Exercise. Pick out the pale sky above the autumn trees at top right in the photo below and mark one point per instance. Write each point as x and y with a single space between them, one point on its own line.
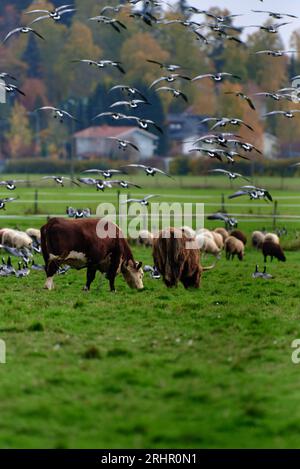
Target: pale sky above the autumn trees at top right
245 7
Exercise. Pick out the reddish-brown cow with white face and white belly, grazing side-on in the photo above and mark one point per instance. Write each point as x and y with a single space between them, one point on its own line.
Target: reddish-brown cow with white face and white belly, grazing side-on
76 243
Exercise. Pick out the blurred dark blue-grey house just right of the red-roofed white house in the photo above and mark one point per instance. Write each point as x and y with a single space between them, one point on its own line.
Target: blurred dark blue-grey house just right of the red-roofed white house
182 129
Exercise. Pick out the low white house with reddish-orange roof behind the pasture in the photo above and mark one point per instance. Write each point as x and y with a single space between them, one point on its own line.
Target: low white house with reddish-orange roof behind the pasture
94 142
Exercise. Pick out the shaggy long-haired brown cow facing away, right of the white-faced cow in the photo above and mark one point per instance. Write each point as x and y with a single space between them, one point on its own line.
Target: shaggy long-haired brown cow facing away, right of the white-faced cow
176 259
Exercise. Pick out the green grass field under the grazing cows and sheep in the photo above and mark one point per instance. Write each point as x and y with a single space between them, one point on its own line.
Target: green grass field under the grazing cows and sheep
158 368
